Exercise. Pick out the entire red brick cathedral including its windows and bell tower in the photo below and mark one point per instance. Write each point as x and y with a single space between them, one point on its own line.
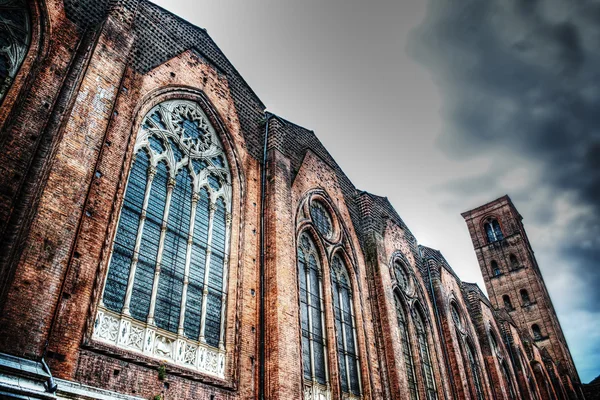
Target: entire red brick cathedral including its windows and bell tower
162 236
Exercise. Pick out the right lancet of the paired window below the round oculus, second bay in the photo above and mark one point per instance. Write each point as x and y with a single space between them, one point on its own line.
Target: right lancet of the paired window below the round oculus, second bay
345 327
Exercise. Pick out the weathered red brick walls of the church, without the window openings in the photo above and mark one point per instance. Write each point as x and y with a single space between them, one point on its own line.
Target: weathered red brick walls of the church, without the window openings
69 124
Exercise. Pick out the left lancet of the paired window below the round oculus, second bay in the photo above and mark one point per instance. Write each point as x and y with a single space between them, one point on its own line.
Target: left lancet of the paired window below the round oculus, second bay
312 318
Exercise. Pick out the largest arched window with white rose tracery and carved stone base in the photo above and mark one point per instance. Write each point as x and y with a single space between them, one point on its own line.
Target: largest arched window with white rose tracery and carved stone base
165 291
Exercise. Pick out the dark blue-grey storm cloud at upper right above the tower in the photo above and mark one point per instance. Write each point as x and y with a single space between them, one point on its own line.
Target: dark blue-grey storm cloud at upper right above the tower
523 78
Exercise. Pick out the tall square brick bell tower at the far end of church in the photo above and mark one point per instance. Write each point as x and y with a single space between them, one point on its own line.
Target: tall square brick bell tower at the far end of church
514 281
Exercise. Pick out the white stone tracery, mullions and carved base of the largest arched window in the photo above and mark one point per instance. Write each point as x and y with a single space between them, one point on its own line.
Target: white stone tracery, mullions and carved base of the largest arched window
187 135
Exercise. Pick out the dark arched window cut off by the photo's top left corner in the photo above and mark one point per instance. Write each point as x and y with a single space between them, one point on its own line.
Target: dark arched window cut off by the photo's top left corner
15 31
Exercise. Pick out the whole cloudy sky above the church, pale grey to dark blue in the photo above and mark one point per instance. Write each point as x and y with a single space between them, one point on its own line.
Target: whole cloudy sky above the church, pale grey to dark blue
442 106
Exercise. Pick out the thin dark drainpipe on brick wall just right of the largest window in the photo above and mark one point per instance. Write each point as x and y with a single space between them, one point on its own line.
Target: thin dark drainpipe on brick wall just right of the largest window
261 342
